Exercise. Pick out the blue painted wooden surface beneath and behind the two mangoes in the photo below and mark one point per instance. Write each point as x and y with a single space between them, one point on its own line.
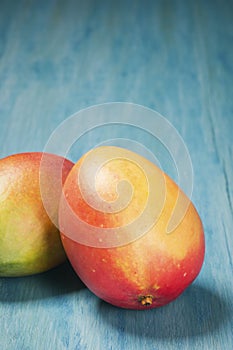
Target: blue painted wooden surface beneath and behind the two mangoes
57 57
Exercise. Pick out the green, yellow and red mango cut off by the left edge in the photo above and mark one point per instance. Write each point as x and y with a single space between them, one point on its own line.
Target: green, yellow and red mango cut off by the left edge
29 242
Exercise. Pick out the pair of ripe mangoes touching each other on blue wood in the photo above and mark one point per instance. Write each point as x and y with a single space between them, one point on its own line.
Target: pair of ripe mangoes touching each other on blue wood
114 212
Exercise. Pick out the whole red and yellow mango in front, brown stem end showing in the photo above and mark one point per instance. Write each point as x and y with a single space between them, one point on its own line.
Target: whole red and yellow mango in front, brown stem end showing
114 217
